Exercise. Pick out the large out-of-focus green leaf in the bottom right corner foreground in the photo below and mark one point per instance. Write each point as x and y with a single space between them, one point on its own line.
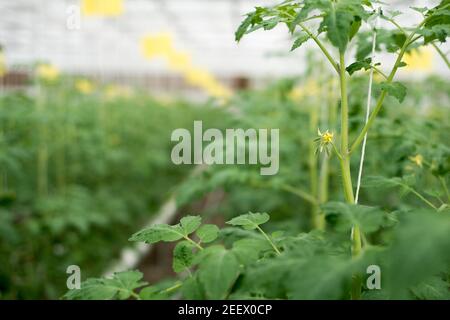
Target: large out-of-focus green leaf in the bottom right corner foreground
419 250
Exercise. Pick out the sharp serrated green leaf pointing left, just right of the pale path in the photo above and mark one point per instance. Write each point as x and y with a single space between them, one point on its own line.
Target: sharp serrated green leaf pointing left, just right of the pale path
158 232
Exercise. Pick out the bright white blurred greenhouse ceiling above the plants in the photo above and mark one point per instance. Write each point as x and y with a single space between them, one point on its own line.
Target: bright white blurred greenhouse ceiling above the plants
80 39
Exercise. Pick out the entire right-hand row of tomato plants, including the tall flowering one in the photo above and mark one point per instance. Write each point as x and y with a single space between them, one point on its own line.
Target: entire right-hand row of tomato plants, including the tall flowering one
306 236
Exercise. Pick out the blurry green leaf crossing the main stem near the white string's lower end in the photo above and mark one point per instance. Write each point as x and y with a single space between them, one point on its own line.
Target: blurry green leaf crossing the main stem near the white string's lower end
345 216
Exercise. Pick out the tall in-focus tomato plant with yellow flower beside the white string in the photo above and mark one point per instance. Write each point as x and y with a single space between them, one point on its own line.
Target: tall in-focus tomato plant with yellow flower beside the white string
341 22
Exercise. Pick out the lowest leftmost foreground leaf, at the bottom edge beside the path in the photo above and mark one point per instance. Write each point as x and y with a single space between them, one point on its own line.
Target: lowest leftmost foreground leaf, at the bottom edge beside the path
120 286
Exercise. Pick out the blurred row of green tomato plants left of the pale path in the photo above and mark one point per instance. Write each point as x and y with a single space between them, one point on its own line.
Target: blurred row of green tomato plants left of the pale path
82 166
